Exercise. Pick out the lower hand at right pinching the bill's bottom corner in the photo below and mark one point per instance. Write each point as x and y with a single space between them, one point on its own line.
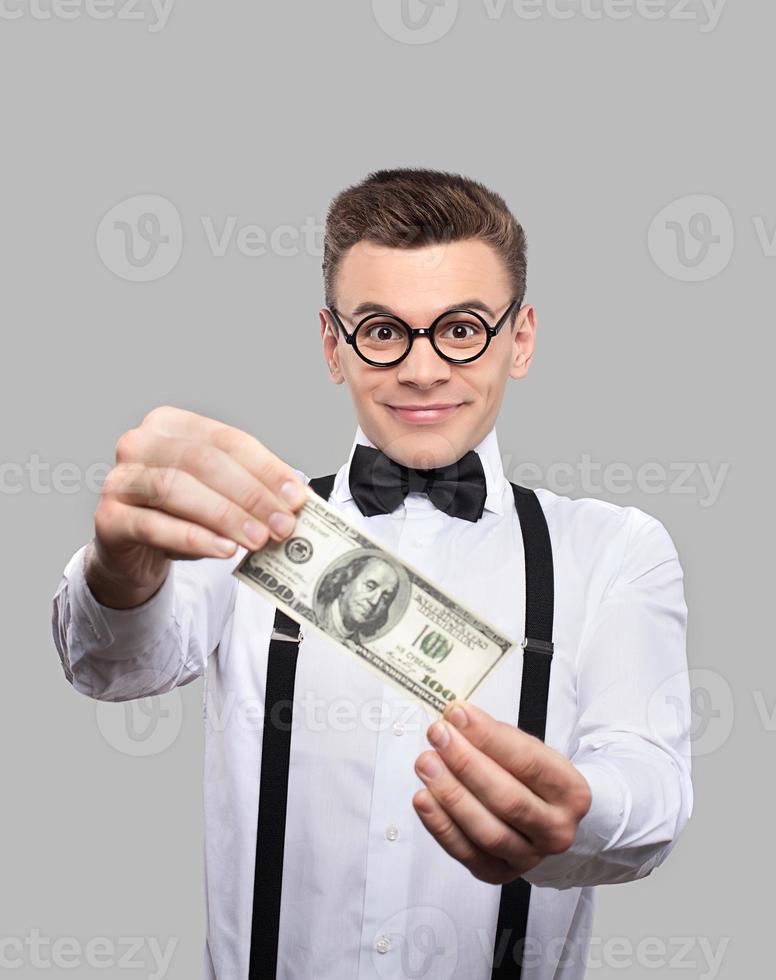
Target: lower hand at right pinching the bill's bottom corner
497 799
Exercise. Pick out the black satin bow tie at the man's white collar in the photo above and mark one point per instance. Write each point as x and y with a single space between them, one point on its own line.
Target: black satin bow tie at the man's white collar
379 484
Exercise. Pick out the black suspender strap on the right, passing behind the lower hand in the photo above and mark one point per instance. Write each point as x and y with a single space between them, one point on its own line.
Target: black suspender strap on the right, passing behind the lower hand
537 659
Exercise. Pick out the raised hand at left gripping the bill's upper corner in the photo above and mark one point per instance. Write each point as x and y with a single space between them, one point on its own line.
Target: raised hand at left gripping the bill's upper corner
184 486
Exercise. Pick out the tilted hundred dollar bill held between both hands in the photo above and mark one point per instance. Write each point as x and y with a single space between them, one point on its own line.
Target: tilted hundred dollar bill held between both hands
333 578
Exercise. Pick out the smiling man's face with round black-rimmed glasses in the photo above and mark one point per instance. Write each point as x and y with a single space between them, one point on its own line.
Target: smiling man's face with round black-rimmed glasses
418 284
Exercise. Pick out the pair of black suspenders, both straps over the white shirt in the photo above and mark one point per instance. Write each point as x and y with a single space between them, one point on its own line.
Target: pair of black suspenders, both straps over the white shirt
276 748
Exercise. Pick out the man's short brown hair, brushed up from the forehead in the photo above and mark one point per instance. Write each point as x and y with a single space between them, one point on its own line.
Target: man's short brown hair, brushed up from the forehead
408 208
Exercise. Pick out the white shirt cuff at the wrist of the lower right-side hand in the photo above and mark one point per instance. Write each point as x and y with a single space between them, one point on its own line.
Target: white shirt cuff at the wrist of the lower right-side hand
598 829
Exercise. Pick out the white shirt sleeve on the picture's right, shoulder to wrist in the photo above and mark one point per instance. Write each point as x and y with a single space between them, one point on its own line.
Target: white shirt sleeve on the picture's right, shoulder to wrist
632 740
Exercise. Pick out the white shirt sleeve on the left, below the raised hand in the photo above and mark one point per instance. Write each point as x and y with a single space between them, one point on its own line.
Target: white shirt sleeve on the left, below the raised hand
121 654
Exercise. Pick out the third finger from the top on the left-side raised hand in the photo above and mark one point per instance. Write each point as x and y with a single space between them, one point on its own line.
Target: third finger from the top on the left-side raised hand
179 494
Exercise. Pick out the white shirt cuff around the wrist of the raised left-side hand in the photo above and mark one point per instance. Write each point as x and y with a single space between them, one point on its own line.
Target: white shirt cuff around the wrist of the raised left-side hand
116 633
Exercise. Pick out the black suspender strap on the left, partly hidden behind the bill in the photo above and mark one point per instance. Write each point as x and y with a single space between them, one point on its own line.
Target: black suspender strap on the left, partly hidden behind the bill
273 793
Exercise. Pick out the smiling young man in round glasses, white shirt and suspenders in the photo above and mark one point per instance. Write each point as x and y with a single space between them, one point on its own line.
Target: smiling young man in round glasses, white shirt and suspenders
400 843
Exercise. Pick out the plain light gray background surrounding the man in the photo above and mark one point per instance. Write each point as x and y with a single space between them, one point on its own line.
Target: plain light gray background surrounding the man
589 128
